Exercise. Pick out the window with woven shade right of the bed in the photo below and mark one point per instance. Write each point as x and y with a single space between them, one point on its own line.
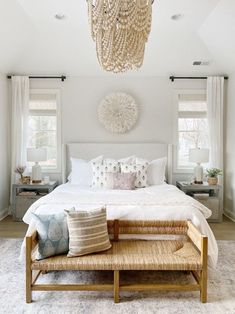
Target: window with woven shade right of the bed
192 126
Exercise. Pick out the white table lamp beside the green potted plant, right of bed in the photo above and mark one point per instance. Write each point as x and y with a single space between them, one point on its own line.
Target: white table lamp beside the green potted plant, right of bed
199 155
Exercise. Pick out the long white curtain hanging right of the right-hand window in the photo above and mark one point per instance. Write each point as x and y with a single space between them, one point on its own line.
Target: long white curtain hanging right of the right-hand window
215 103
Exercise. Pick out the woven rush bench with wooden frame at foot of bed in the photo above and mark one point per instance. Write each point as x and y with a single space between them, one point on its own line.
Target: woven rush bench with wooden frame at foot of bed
189 254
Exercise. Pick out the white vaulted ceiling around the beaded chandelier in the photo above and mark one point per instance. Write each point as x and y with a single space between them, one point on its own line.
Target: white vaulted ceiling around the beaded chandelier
32 41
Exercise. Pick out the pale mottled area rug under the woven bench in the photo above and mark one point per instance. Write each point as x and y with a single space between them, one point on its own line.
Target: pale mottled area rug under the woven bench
221 289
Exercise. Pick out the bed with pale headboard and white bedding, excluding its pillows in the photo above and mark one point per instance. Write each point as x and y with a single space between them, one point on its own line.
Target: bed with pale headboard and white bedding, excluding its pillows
157 202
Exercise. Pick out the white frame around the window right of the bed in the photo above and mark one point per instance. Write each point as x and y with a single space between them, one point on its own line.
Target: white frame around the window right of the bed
176 93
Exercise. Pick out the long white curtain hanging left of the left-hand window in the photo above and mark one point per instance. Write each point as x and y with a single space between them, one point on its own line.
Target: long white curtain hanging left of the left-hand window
19 122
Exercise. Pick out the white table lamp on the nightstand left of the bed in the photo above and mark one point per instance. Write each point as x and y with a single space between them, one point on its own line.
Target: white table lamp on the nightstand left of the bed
36 155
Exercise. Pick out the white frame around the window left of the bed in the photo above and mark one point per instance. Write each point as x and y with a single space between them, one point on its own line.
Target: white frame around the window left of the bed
58 127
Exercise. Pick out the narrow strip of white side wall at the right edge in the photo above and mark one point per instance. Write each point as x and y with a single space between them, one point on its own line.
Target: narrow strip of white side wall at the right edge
230 150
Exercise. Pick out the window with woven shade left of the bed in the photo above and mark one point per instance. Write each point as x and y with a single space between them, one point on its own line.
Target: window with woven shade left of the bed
44 126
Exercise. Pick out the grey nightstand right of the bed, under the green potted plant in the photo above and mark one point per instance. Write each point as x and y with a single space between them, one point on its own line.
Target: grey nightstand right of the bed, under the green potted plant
208 195
